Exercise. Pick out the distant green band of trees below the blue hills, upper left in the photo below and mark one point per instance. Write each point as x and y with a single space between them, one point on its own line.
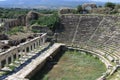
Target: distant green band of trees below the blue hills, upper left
15 12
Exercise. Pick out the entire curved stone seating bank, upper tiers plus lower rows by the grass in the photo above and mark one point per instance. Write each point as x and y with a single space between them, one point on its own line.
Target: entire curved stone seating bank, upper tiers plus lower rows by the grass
97 33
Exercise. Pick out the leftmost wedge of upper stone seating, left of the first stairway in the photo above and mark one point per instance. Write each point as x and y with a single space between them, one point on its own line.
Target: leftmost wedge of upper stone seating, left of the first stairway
69 24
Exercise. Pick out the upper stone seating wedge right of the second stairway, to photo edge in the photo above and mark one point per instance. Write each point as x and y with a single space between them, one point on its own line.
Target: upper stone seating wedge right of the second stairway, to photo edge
108 33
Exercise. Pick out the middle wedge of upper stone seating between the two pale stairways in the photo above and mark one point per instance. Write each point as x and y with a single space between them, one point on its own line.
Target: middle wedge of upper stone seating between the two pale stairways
86 28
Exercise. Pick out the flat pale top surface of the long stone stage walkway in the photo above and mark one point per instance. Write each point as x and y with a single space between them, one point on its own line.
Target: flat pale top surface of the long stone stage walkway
25 71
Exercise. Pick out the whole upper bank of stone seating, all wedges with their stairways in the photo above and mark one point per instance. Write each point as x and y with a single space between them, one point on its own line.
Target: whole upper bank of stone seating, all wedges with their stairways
91 30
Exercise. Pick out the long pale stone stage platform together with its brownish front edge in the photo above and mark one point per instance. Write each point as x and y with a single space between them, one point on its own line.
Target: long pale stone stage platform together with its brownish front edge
35 64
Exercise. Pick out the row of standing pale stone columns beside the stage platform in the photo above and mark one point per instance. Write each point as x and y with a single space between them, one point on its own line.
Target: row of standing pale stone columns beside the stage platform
22 52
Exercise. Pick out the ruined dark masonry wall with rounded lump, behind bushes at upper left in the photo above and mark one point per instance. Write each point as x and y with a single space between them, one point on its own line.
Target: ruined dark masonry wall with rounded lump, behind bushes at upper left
23 20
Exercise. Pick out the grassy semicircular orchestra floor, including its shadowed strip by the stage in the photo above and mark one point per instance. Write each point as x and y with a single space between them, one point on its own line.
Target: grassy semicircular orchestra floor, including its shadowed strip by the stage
71 65
